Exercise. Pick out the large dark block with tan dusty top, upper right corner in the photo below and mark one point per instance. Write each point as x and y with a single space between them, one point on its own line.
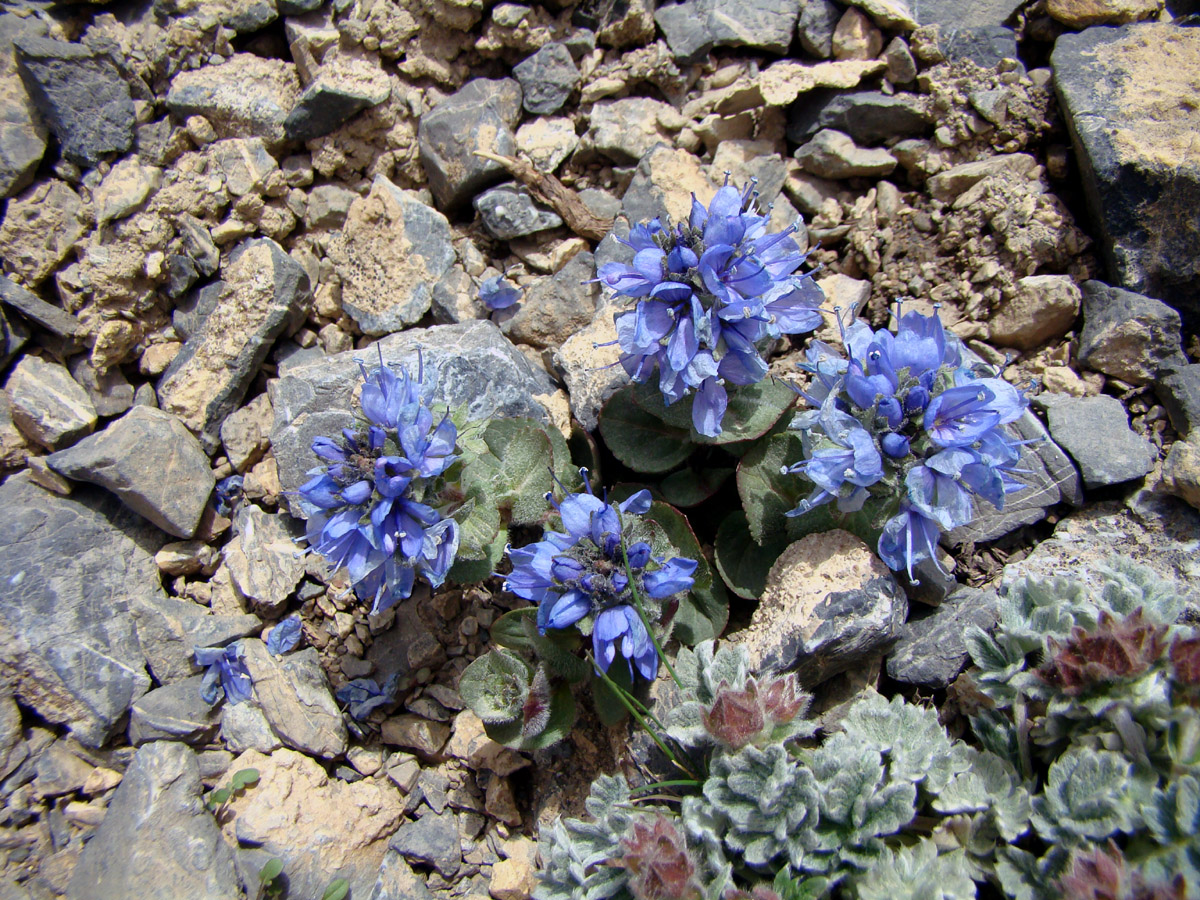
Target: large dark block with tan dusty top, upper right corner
1127 95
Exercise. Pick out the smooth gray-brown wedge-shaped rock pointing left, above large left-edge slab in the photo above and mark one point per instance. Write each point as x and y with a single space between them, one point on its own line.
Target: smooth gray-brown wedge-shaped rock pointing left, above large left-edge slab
149 460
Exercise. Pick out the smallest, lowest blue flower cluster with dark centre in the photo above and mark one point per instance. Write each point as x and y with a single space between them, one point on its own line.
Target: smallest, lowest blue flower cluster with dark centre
580 578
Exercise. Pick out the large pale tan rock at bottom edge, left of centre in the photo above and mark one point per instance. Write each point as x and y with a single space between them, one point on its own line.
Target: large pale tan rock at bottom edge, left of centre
322 829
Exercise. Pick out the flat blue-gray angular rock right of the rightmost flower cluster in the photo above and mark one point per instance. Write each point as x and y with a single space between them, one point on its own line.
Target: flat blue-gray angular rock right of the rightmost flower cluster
1096 433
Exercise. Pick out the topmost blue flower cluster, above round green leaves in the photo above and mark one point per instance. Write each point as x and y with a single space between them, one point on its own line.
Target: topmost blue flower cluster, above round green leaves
710 292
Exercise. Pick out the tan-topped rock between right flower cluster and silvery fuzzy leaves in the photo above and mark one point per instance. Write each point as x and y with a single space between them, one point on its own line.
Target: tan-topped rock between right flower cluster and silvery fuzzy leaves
830 604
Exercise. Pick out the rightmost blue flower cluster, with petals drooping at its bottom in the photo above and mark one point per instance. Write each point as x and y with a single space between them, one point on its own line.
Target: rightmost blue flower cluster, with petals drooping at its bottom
903 418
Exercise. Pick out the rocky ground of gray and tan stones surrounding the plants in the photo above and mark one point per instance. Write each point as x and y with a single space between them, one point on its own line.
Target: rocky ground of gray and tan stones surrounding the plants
212 208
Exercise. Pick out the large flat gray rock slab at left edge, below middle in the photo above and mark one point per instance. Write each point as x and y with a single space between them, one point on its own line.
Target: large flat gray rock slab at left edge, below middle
69 646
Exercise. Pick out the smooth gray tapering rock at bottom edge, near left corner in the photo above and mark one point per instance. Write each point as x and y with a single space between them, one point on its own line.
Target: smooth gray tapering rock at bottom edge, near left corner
158 838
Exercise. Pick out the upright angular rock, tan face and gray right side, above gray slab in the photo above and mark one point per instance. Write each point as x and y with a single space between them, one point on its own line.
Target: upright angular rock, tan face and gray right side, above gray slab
392 254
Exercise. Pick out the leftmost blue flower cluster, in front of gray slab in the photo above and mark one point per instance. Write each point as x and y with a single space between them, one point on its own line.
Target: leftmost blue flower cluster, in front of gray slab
373 499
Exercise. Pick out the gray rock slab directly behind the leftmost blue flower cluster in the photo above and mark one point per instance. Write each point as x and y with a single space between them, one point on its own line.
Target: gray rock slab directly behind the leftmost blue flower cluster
472 364
